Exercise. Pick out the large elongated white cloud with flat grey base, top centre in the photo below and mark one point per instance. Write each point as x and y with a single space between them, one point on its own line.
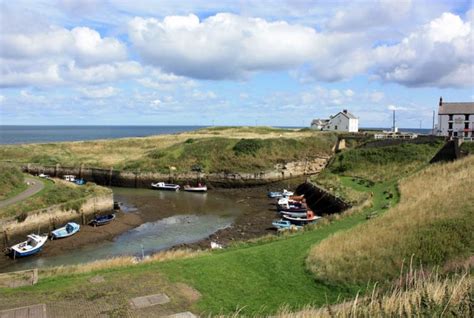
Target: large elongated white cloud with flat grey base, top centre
222 46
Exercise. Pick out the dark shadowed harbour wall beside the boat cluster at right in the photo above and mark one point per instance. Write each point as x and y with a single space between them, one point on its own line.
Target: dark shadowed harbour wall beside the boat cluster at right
321 201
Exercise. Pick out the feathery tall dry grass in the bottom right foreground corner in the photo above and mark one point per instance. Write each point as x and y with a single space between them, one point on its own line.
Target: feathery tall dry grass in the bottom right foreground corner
419 296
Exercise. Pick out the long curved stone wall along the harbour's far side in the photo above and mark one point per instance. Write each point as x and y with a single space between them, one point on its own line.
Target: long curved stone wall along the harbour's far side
138 179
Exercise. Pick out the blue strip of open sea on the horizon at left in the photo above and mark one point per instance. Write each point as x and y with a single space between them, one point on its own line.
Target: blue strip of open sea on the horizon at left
45 134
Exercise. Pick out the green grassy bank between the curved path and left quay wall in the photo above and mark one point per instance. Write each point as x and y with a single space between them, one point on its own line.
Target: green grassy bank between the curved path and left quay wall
59 192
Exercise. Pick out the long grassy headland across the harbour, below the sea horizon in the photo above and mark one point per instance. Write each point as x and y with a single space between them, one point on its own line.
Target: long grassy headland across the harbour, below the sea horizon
219 149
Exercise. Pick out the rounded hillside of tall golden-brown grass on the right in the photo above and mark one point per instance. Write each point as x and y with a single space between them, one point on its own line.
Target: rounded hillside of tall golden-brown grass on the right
433 222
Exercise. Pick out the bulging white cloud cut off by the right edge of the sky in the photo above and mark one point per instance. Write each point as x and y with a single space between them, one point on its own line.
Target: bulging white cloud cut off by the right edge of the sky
437 54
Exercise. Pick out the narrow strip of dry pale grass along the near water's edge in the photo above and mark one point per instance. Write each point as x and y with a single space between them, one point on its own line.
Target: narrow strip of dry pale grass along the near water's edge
118 262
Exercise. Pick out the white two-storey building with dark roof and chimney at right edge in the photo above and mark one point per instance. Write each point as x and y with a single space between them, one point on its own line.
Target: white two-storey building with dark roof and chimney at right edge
456 120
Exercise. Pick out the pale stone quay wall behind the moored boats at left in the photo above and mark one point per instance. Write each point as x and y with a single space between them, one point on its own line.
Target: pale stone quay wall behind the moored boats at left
43 220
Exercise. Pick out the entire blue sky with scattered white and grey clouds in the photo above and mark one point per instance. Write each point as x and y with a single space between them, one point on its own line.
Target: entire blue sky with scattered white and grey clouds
276 63
